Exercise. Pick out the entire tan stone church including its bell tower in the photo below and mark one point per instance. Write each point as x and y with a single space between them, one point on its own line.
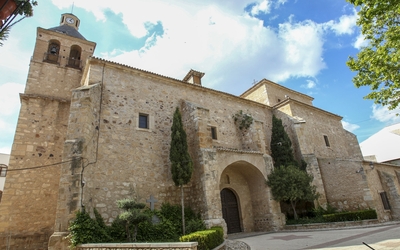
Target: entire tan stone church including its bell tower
92 131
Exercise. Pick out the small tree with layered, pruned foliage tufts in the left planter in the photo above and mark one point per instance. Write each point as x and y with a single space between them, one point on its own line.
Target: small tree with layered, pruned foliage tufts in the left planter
133 215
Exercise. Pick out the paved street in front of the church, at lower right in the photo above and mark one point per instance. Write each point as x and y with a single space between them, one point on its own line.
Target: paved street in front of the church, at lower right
379 238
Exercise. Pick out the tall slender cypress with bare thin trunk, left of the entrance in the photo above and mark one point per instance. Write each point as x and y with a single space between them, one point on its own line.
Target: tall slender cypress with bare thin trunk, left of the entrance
181 162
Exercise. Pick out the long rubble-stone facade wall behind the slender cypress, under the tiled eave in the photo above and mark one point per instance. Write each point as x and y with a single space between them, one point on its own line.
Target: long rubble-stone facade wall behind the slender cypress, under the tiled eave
133 159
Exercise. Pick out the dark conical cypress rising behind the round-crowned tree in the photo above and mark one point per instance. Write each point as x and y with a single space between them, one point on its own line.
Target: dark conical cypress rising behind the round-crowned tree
281 146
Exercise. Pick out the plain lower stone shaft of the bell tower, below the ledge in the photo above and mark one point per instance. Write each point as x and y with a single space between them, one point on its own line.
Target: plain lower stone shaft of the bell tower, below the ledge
27 210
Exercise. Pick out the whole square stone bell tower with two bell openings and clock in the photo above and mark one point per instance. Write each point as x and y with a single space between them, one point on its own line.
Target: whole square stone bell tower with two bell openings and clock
29 202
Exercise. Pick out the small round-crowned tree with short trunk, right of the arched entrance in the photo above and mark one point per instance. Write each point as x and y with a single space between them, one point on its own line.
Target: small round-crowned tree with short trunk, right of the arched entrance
289 183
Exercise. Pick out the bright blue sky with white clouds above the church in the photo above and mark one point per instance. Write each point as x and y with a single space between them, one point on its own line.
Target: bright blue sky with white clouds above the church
301 44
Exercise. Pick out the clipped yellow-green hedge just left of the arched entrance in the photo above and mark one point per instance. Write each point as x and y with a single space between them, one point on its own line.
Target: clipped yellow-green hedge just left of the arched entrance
207 239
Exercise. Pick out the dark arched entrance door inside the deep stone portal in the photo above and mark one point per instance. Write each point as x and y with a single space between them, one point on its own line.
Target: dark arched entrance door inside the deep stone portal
230 211
